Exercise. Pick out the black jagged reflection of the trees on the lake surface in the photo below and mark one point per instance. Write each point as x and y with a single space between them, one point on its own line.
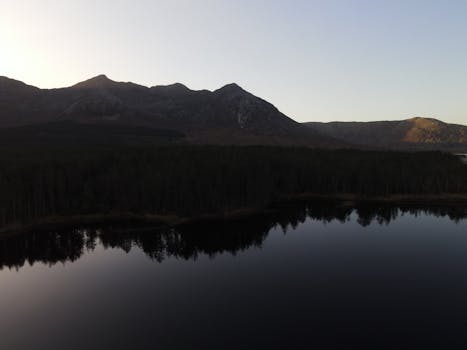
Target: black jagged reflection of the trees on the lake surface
188 242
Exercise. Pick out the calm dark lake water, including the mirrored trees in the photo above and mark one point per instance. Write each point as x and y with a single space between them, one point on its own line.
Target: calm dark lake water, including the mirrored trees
316 275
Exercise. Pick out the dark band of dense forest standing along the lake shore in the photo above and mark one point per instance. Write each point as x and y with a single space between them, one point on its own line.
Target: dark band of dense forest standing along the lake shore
194 180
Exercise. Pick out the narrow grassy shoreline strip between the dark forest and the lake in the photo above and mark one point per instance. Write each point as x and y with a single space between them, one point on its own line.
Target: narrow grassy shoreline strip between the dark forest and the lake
166 221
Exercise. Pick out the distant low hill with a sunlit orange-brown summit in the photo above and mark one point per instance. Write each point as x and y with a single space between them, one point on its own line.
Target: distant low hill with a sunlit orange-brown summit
411 134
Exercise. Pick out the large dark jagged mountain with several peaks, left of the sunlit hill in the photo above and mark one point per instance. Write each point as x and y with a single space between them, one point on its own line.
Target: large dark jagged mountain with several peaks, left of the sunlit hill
229 115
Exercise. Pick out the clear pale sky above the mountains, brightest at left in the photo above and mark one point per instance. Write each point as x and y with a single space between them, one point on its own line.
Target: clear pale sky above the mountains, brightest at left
316 60
